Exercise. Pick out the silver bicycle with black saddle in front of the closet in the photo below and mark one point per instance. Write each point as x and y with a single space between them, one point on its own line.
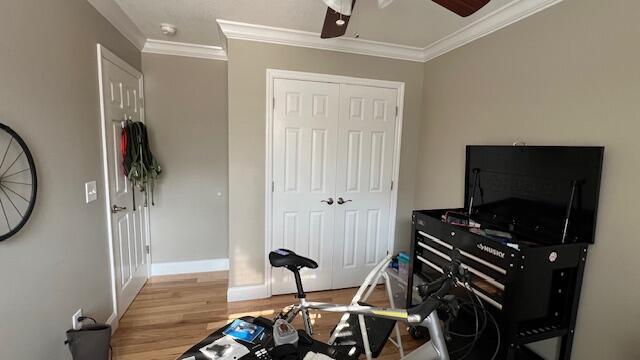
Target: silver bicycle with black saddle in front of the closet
435 295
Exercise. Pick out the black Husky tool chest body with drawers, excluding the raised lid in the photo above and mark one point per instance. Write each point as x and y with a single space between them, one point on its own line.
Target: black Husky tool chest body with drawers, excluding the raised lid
533 292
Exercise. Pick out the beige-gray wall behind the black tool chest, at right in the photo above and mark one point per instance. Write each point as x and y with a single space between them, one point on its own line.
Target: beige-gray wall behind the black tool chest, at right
569 76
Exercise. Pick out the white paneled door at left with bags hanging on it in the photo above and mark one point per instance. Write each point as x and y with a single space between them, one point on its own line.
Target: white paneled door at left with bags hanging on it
122 99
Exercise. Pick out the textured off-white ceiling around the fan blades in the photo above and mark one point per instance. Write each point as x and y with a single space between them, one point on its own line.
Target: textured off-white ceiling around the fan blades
407 22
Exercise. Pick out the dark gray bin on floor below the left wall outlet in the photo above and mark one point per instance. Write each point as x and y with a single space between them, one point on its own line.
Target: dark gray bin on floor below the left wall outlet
92 342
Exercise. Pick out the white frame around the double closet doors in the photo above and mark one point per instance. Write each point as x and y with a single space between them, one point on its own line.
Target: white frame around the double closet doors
273 74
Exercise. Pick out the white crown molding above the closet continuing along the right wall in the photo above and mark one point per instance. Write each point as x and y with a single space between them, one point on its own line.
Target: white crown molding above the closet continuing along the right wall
508 14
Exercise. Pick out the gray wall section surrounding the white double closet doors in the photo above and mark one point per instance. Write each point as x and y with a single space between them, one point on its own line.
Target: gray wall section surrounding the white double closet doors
248 62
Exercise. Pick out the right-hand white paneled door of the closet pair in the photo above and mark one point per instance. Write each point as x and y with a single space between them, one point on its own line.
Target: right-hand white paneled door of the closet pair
366 138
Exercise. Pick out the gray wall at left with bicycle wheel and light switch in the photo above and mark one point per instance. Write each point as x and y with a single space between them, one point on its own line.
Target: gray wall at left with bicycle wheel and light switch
49 94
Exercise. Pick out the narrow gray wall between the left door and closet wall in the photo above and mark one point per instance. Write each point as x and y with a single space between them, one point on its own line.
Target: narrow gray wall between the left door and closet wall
186 111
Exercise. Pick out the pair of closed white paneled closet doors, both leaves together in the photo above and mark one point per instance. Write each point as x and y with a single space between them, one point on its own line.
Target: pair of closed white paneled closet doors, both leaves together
333 154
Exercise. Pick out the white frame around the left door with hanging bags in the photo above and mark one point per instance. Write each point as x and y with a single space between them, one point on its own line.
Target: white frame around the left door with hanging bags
106 54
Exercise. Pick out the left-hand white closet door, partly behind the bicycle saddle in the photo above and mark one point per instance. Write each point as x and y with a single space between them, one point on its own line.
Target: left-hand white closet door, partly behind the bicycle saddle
304 172
